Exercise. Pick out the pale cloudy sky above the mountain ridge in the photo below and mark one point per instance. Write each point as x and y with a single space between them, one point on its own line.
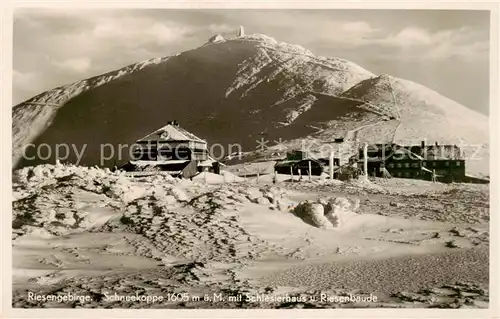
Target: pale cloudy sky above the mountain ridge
445 50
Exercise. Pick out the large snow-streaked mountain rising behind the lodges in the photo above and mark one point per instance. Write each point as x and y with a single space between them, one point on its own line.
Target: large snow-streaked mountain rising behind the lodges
240 90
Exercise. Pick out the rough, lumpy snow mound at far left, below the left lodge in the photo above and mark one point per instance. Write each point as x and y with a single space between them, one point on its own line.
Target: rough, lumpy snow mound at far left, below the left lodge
64 199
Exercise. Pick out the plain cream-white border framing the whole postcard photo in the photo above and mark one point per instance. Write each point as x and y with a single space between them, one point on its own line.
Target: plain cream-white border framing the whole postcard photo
6 90
